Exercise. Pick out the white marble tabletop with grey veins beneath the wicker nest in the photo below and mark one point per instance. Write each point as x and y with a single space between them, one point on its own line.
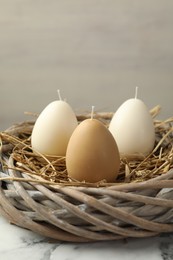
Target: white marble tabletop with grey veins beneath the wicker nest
22 244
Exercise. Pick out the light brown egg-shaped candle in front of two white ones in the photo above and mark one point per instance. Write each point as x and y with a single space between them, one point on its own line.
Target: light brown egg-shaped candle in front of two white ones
92 153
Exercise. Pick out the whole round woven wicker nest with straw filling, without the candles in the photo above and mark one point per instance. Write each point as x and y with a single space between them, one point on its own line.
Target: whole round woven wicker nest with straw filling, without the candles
37 194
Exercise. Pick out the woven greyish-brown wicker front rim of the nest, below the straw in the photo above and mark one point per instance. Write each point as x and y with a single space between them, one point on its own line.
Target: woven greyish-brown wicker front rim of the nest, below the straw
87 214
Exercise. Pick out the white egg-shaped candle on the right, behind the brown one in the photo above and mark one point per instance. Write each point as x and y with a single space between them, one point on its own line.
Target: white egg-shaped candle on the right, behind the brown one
133 128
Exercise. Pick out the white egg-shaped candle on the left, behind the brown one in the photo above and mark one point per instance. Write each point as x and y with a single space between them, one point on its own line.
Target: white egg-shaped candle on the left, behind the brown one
53 129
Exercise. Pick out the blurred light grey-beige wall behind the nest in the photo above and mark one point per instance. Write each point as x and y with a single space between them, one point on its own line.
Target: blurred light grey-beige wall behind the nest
94 51
